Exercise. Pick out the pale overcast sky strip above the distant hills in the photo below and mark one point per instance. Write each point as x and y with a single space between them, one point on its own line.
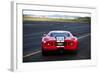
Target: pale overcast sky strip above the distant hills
30 12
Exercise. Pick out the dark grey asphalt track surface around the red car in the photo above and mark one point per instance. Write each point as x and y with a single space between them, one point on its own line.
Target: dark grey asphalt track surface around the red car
33 31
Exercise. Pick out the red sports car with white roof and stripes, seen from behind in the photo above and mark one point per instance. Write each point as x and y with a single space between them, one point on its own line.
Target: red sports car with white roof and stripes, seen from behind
59 40
